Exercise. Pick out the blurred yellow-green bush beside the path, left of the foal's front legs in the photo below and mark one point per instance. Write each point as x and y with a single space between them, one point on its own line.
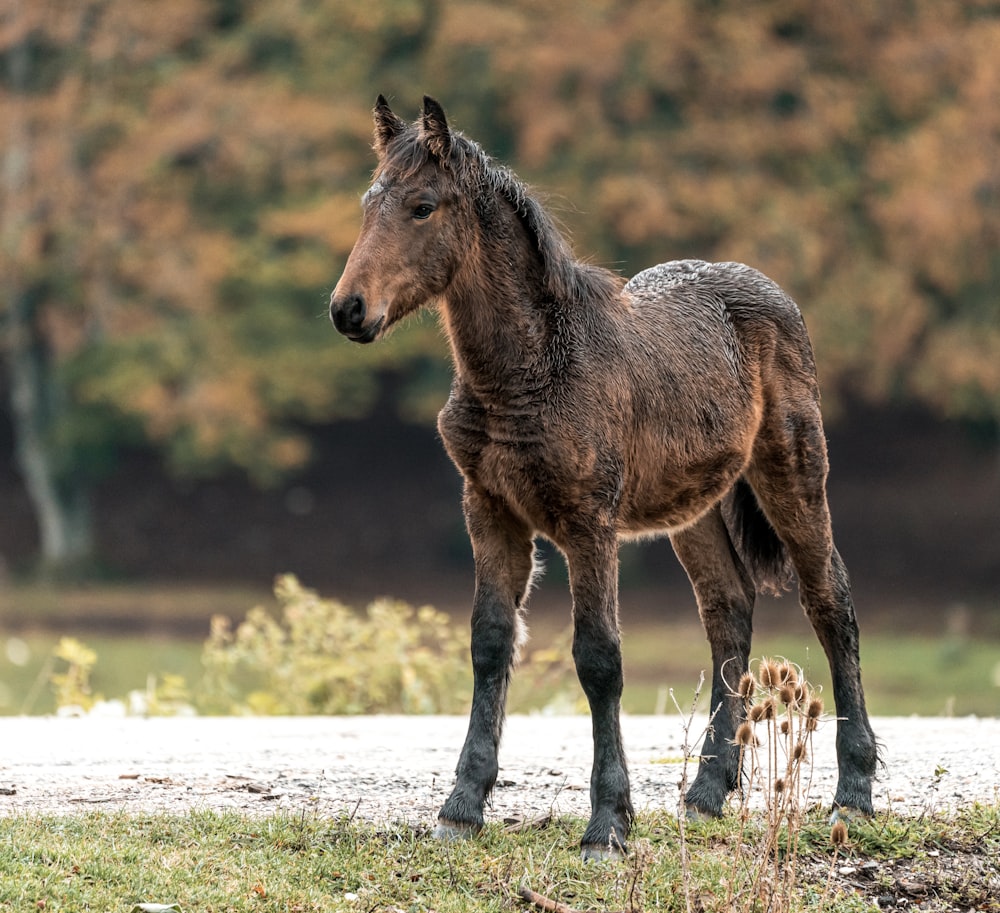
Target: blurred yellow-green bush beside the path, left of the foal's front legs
318 656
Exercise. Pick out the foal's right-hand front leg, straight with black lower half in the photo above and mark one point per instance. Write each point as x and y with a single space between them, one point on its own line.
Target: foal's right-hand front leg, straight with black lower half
598 657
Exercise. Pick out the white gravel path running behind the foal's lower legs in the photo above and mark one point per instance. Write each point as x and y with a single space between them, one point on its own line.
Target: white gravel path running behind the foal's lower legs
388 768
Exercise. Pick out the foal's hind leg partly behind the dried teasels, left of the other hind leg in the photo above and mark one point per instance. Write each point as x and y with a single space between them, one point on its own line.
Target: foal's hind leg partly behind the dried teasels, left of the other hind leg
725 595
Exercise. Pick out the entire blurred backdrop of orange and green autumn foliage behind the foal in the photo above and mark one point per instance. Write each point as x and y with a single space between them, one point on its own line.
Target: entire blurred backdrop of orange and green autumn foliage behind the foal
180 190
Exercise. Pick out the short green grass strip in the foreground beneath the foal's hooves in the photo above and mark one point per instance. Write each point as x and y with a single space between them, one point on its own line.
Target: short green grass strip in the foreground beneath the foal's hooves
225 862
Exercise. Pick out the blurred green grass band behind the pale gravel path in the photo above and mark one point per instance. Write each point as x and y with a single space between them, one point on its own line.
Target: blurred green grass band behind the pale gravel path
904 674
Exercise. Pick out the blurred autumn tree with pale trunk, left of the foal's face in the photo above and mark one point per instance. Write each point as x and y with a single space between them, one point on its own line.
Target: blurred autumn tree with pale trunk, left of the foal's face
171 201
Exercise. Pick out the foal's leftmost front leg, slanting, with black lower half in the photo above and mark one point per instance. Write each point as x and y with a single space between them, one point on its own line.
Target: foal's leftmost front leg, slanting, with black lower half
503 548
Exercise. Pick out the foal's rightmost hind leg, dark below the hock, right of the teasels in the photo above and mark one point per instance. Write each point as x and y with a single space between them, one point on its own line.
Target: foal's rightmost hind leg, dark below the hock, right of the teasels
788 475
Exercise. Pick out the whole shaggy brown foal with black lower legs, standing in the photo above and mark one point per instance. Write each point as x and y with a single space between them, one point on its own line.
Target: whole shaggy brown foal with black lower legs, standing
584 409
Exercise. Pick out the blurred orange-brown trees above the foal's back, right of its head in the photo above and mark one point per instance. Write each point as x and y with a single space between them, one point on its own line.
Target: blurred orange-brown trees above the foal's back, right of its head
812 141
